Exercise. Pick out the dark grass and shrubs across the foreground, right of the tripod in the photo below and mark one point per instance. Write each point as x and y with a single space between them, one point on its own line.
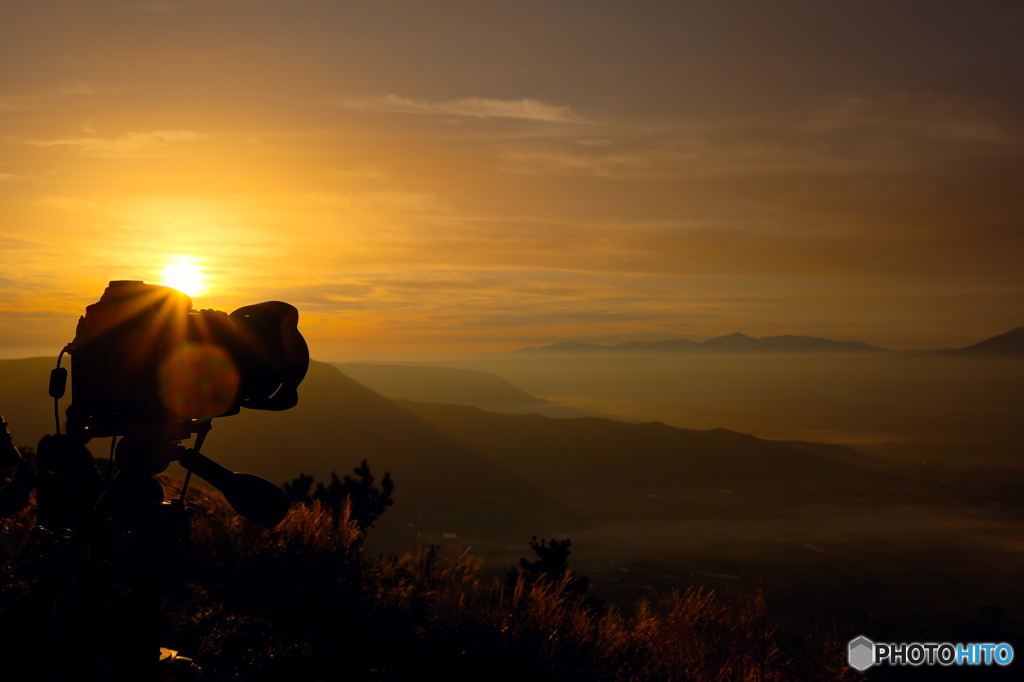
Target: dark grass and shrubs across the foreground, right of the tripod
304 602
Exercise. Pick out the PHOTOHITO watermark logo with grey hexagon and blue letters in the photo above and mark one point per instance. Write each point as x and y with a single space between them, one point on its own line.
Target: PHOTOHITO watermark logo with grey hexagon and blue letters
864 654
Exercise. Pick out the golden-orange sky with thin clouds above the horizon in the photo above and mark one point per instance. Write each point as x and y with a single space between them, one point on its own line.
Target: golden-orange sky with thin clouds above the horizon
440 179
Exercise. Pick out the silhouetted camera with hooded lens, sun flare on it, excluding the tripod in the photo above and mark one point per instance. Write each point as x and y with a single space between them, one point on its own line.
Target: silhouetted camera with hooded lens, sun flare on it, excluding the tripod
145 362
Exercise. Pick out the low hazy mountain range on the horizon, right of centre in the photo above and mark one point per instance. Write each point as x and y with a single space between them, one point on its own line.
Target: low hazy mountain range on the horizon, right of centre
733 344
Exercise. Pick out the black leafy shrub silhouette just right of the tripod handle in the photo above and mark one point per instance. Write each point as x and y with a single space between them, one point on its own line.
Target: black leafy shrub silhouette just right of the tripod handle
369 501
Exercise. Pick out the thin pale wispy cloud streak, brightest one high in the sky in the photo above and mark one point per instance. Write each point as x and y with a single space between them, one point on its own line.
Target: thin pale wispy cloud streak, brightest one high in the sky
475 108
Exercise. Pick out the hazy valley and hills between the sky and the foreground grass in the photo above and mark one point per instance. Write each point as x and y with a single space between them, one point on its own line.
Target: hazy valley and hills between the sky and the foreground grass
724 471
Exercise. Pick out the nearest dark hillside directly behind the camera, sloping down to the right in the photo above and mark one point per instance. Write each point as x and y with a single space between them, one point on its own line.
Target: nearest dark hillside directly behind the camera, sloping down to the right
441 485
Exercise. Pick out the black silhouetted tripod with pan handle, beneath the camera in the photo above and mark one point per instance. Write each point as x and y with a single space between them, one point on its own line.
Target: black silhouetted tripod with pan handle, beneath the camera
98 608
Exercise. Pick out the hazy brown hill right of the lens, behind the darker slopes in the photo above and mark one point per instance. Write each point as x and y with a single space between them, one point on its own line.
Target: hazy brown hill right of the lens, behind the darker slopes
452 387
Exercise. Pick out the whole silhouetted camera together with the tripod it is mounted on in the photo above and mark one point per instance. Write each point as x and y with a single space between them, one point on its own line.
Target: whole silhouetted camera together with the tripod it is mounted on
148 371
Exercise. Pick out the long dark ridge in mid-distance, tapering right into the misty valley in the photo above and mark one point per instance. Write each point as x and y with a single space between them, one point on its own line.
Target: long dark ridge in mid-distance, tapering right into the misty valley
607 470
